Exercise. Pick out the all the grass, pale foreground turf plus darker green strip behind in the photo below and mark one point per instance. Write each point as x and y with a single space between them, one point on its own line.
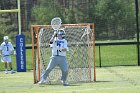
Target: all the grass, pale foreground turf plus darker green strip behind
117 79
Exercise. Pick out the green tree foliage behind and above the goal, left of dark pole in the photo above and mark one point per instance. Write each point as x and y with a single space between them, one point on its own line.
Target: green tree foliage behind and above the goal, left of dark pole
113 19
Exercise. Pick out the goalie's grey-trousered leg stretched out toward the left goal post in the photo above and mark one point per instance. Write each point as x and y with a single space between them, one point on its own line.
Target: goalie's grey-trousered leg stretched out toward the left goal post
49 68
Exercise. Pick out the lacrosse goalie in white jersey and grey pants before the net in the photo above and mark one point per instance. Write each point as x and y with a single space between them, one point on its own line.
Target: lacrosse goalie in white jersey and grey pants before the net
58 43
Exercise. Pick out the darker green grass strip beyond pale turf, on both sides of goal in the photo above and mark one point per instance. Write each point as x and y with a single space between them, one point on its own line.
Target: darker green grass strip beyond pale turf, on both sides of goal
110 56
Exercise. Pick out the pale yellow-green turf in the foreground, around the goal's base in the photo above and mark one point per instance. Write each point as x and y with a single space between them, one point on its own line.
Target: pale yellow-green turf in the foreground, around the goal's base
120 79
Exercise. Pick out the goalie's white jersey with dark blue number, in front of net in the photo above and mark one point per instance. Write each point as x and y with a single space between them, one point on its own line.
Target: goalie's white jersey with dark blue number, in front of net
59 44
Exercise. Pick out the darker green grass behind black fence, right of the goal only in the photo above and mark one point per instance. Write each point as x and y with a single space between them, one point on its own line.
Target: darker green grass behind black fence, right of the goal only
117 55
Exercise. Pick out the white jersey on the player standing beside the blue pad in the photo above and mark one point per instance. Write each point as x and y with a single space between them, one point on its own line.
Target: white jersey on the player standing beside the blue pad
6 48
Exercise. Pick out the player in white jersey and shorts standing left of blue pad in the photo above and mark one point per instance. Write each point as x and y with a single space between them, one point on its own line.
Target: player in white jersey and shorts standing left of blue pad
6 49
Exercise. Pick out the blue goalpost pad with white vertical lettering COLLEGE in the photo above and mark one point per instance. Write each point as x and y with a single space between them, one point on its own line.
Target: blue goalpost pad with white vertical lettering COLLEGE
20 53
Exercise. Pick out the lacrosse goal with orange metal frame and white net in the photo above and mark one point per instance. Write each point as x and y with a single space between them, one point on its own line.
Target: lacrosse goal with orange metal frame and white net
80 57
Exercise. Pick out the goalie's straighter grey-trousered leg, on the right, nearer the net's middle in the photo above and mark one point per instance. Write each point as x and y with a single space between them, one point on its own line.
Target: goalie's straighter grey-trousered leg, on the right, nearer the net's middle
64 68
